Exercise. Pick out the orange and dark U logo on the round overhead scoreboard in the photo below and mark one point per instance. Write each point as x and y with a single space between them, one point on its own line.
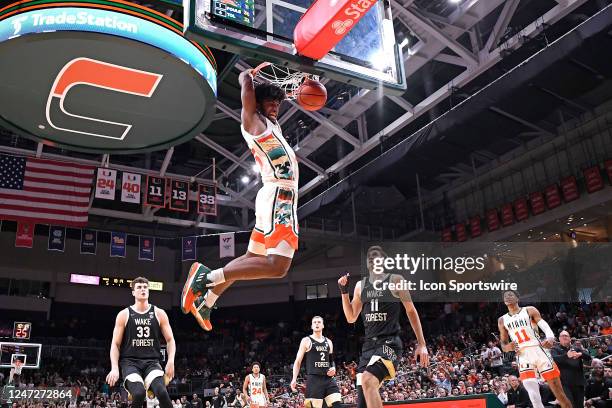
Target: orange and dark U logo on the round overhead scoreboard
89 72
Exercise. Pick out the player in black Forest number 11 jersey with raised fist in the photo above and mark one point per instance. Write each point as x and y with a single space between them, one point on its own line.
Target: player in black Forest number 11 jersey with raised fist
380 311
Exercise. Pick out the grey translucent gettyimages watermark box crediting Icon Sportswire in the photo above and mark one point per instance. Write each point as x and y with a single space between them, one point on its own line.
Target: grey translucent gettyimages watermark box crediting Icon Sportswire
548 272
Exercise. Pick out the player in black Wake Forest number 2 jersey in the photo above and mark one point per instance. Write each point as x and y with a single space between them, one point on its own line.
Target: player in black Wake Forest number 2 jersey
320 368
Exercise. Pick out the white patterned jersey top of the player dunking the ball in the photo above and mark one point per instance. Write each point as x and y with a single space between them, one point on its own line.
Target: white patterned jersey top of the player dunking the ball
276 159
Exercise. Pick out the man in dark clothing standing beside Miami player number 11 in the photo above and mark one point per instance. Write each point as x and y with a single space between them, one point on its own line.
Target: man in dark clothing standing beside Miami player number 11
570 362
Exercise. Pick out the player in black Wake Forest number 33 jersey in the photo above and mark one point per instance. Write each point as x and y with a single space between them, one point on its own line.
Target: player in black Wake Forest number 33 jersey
136 348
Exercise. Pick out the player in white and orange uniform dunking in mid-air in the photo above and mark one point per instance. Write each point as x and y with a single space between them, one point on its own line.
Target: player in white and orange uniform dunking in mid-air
275 236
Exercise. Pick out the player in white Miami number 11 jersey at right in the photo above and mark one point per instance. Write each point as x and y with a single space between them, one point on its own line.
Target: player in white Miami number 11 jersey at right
518 331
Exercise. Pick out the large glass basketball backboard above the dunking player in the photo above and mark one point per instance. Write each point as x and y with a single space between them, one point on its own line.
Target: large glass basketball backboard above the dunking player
368 56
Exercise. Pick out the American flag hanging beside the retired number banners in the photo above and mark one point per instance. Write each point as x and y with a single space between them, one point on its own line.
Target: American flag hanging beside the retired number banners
44 191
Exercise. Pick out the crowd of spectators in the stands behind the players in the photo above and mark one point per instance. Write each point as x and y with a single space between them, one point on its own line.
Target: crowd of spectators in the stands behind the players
465 359
